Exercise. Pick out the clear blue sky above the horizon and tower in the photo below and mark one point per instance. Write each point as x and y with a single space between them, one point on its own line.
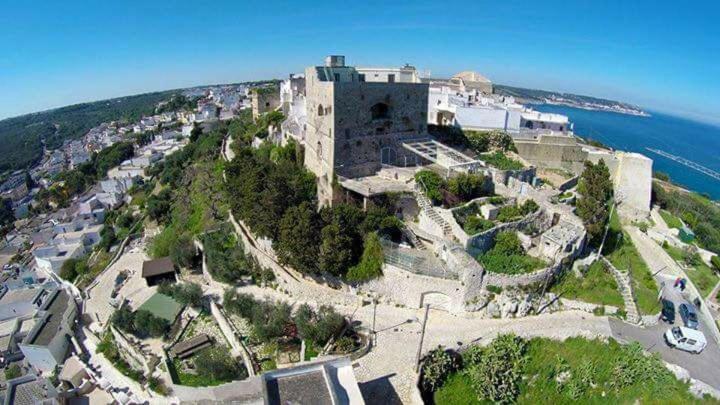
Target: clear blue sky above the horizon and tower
661 55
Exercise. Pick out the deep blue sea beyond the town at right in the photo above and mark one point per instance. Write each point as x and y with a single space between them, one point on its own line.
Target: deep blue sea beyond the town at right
692 140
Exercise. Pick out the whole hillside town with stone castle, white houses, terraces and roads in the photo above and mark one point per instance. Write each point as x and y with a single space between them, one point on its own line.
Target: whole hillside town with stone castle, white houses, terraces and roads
344 236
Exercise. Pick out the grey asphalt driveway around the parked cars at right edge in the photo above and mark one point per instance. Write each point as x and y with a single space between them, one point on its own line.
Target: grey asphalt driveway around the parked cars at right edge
703 366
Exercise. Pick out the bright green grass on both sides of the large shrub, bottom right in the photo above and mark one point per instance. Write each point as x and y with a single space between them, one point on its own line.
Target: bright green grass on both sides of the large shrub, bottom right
594 372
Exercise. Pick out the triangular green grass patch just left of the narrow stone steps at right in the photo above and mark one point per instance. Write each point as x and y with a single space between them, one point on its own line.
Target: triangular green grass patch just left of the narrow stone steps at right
597 287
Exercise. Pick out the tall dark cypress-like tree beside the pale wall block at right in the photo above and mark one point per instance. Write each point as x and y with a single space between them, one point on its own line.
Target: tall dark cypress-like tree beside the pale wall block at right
595 189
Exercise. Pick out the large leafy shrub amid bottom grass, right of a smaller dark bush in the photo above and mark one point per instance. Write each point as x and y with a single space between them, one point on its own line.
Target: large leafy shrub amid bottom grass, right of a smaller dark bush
497 371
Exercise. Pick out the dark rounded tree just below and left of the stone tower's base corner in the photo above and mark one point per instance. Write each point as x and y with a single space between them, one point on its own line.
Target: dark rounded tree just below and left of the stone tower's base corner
297 242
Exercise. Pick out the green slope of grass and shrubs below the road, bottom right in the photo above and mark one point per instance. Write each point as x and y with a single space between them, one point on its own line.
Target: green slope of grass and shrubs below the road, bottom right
577 370
